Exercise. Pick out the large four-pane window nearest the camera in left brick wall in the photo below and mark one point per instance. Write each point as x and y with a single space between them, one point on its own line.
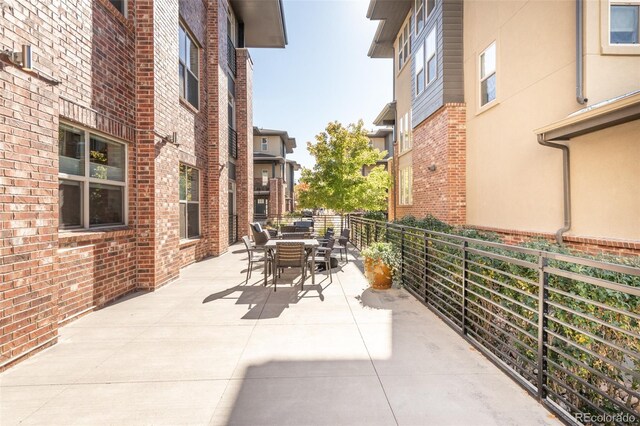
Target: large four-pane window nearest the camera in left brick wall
92 186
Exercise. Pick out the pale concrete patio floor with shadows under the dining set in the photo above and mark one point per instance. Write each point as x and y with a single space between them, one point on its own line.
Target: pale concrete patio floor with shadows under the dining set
208 349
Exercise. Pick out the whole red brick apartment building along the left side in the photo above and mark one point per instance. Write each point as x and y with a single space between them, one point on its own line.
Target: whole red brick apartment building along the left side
125 149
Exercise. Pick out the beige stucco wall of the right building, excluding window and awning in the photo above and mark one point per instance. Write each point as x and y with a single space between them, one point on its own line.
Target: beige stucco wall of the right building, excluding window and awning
512 181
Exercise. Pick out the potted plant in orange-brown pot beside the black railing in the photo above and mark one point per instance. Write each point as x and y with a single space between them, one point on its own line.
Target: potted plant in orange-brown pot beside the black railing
381 261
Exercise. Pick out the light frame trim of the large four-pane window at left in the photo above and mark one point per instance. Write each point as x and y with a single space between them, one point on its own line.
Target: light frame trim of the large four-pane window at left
85 180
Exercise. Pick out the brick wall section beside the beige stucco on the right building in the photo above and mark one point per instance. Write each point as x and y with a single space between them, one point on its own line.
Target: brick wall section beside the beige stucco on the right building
439 140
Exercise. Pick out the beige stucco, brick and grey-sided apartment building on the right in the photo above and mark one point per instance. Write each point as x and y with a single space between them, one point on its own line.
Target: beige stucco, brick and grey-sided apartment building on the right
517 117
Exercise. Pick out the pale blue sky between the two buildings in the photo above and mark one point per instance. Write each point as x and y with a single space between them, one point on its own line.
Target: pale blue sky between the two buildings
323 74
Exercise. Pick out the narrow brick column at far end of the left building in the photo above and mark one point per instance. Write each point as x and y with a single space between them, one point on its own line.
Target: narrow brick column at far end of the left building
244 121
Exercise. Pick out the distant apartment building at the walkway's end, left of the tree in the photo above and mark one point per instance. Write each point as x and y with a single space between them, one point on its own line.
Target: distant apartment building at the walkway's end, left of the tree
273 173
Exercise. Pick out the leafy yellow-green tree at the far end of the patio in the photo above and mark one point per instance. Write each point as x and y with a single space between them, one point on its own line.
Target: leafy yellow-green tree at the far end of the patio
336 181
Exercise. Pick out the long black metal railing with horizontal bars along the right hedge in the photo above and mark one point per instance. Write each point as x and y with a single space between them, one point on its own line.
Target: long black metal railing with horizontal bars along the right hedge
566 328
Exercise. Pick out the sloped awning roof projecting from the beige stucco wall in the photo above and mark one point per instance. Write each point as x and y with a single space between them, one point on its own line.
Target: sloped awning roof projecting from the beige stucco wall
596 117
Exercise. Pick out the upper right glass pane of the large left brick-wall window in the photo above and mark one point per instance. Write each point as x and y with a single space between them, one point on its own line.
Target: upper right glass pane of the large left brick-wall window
107 159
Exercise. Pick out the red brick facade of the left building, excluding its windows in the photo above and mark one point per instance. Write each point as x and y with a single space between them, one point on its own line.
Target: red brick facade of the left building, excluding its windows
117 80
